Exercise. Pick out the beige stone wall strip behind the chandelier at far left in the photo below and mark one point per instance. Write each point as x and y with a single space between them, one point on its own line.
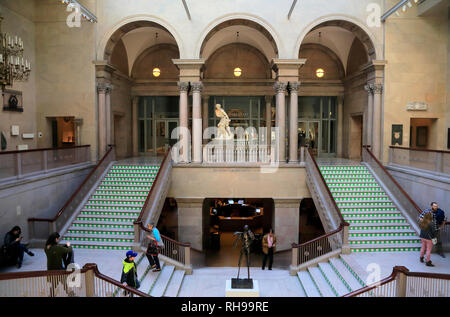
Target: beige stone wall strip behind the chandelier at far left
18 21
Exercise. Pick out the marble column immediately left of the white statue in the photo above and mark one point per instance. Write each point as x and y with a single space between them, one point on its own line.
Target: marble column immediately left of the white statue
197 134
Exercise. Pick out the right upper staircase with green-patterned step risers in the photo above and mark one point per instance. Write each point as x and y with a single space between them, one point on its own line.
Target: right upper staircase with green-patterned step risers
376 224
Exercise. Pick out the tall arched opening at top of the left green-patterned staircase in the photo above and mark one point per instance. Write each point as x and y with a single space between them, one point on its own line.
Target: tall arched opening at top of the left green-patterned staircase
145 94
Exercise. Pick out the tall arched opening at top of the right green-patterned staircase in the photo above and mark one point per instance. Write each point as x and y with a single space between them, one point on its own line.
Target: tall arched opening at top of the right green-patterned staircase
332 92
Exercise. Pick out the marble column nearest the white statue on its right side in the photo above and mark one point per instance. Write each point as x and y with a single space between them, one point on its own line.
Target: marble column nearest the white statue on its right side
280 89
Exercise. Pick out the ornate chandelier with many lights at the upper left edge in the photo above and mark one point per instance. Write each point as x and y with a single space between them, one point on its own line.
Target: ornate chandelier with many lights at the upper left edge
12 64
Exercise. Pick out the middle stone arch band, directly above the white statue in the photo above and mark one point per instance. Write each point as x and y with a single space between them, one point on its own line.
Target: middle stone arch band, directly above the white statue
239 19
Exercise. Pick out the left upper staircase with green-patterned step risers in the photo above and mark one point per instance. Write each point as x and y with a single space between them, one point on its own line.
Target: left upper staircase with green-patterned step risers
106 220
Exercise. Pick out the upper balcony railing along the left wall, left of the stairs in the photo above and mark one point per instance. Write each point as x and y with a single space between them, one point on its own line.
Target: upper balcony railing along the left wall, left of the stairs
16 165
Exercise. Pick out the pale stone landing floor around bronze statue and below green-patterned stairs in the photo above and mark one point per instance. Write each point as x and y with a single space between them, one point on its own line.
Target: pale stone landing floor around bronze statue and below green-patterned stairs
210 281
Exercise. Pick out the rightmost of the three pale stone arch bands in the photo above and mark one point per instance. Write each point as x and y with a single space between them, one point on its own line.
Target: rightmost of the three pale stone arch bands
348 23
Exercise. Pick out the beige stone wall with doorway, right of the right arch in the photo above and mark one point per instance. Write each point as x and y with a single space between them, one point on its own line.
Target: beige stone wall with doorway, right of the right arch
417 70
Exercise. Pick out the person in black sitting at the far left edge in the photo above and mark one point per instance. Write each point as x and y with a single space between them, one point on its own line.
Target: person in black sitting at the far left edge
13 248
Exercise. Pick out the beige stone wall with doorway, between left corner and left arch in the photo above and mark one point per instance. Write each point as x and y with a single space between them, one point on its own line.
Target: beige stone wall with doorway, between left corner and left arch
65 75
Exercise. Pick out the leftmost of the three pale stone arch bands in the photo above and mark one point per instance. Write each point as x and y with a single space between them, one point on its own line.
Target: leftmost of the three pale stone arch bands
112 37
